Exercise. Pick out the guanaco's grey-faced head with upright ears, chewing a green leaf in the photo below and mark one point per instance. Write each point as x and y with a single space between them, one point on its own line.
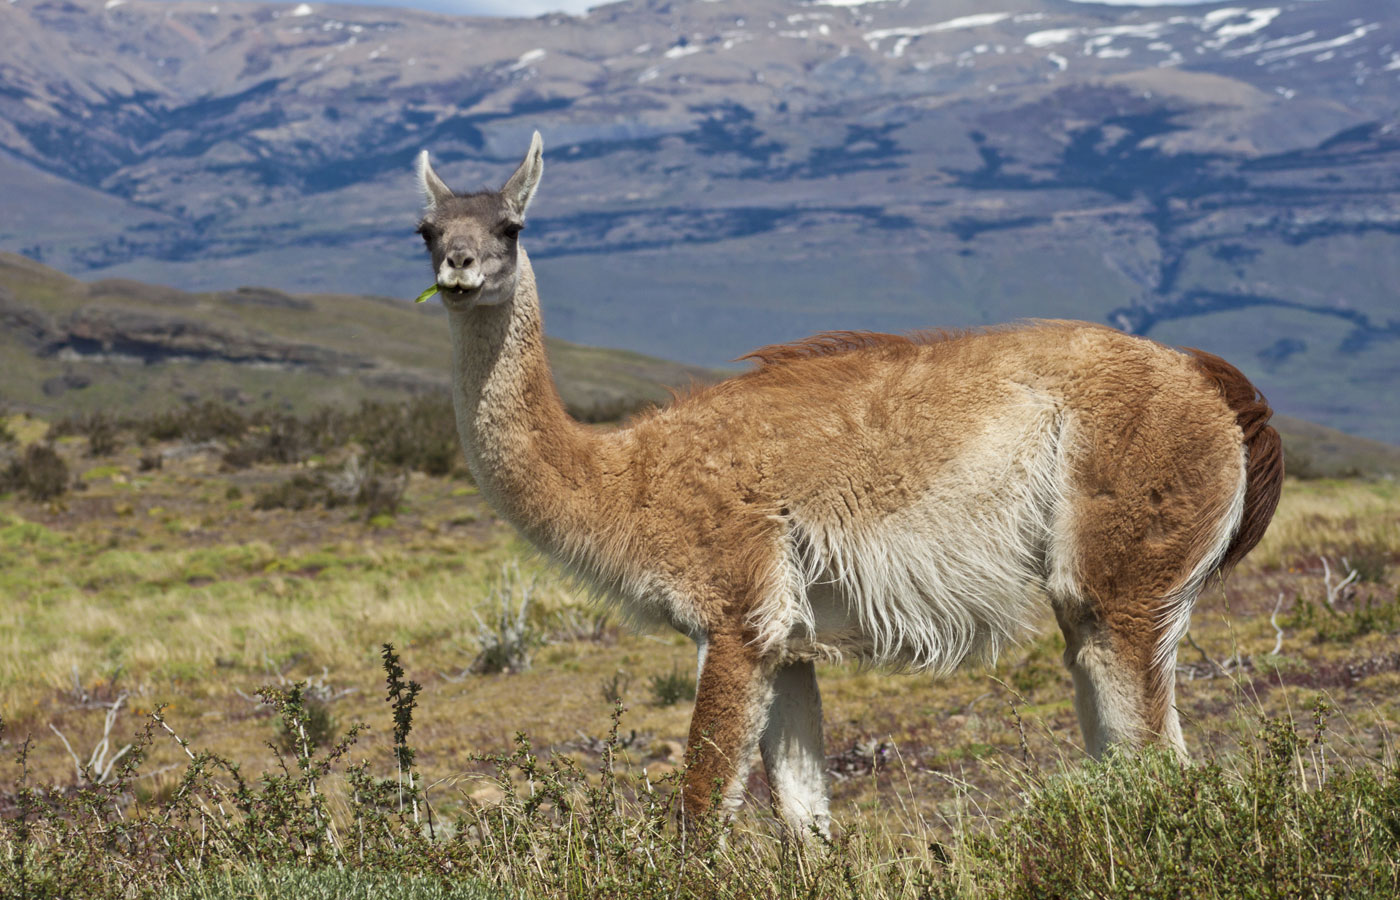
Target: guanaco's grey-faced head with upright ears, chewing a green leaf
474 237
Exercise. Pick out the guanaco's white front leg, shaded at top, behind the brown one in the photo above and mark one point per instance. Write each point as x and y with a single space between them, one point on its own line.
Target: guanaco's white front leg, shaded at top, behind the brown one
793 752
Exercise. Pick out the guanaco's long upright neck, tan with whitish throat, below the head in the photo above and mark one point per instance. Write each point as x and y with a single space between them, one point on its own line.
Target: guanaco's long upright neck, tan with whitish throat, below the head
533 461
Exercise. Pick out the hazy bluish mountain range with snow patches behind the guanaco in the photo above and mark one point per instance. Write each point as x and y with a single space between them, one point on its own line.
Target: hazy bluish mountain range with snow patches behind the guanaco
722 174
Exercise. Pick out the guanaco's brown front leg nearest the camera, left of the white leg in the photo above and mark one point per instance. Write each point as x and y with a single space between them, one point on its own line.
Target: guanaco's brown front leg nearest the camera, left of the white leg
731 710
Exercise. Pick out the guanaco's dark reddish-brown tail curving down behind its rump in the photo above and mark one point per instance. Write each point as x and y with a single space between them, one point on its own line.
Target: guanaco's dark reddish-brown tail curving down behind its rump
1265 453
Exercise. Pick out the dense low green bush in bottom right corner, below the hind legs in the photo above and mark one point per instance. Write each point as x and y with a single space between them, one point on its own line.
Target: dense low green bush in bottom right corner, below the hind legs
1283 825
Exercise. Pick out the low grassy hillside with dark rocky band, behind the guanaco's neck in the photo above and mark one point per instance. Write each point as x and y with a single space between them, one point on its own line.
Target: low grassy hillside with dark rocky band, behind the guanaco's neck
122 346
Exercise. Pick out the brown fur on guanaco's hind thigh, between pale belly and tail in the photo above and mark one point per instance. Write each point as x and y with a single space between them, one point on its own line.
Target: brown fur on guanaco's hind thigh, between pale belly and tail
1154 475
